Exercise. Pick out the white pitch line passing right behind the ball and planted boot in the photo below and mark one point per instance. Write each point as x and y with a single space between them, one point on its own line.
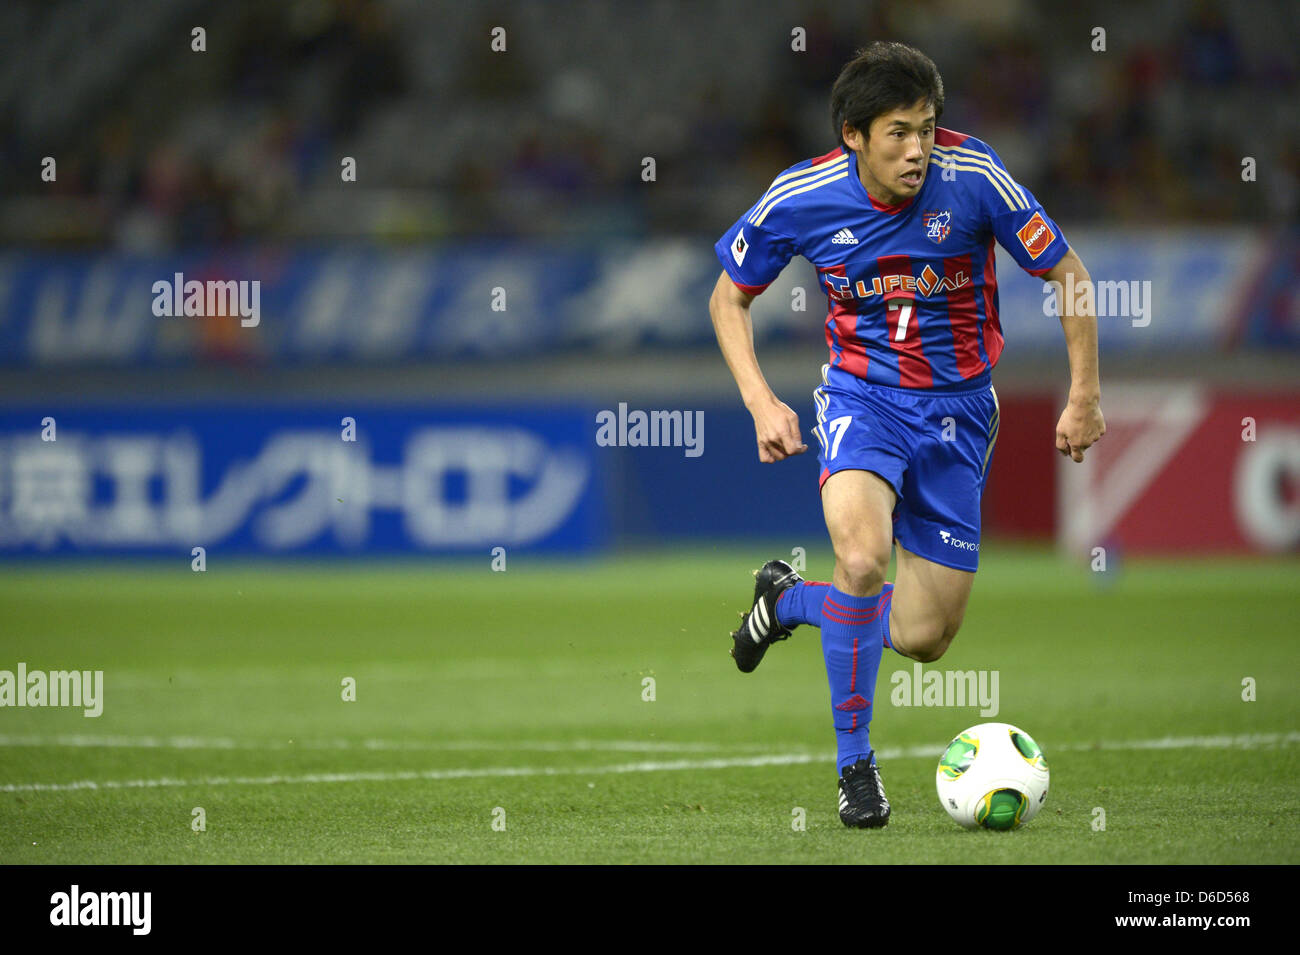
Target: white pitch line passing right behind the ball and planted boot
1245 741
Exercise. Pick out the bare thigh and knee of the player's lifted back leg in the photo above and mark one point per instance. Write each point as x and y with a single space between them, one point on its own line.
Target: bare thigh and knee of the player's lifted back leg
929 606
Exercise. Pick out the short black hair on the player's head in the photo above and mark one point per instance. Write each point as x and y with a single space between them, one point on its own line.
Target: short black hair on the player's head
882 77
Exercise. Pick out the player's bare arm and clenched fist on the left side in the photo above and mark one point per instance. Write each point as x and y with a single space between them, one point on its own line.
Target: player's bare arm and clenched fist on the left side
775 424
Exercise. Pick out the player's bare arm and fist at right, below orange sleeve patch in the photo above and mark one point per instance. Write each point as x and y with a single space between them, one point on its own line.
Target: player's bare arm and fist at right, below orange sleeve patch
1081 426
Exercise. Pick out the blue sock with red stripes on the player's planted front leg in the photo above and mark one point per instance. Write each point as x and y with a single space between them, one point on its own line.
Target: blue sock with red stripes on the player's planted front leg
852 645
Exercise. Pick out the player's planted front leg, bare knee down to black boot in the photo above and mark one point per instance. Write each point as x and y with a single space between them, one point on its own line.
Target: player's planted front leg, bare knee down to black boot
857 506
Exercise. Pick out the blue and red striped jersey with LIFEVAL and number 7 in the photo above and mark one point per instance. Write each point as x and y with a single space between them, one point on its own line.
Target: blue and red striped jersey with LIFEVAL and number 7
912 288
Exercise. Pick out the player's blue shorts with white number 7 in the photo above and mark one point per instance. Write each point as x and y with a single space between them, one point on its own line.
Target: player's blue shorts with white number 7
933 448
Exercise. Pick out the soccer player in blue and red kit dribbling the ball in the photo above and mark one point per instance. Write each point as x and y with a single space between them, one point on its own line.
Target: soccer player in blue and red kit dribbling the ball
899 222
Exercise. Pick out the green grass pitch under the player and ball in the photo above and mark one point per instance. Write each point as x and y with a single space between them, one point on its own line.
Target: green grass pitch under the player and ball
508 718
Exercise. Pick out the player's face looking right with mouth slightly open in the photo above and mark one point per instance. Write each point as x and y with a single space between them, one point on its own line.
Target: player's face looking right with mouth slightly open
894 158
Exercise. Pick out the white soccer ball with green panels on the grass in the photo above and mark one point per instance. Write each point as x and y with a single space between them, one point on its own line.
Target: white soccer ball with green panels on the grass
993 776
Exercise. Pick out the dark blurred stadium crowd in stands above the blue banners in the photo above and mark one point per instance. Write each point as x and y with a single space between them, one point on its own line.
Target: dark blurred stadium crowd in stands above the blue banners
161 147
